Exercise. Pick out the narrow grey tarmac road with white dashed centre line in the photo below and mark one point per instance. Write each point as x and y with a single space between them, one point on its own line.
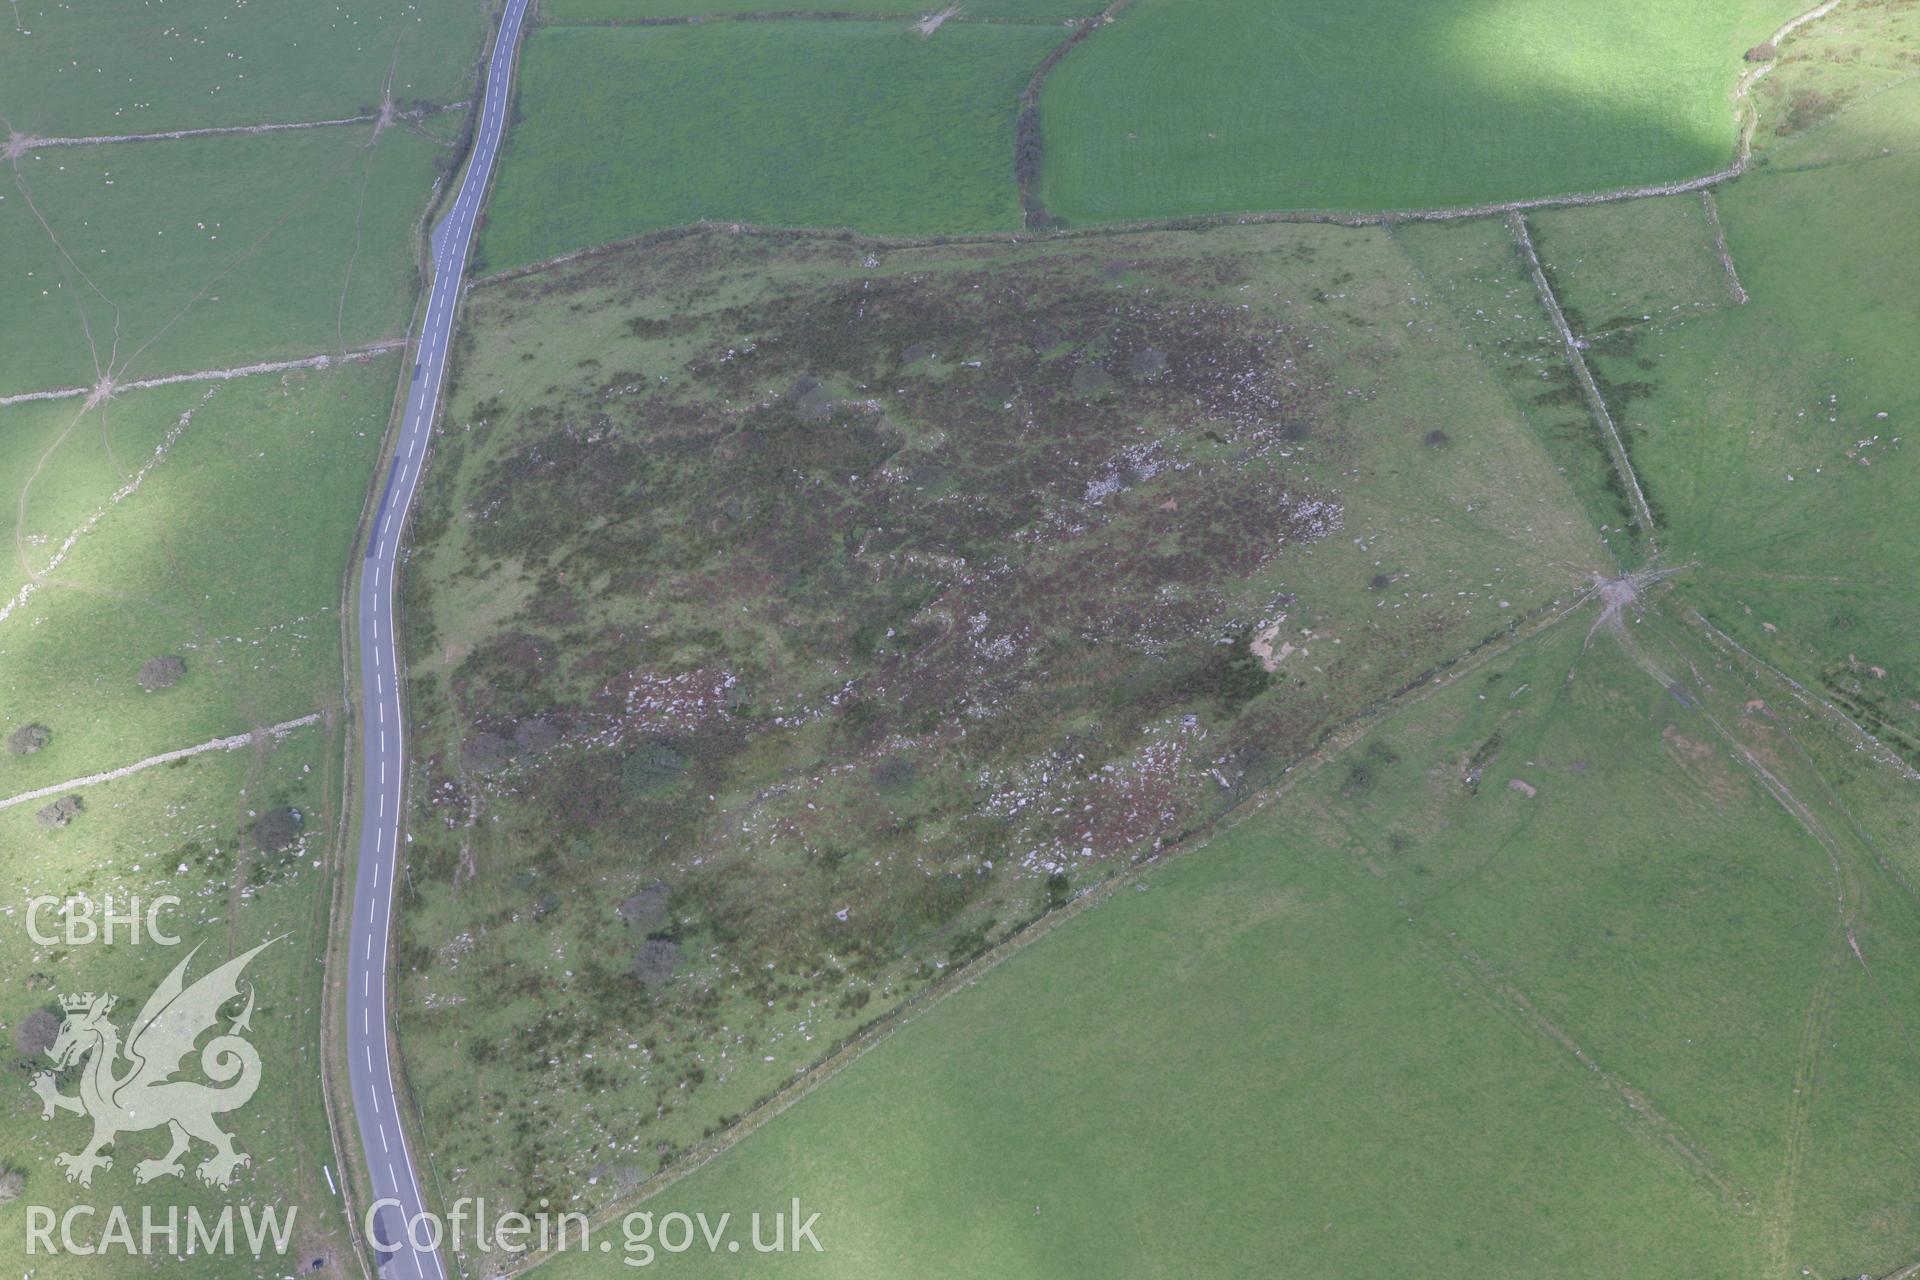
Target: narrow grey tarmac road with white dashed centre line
395 1179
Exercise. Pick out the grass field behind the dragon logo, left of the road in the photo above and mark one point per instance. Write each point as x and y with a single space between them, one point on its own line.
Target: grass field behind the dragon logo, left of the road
185 832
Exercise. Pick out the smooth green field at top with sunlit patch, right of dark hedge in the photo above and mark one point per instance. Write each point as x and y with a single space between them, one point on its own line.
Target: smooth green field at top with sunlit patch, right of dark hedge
1228 107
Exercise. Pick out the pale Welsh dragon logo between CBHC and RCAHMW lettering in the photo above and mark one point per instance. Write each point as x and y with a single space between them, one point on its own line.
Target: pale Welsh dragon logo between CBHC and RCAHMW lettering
132 1087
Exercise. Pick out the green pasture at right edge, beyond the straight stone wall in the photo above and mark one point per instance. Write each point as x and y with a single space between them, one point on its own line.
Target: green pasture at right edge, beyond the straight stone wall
1775 437
